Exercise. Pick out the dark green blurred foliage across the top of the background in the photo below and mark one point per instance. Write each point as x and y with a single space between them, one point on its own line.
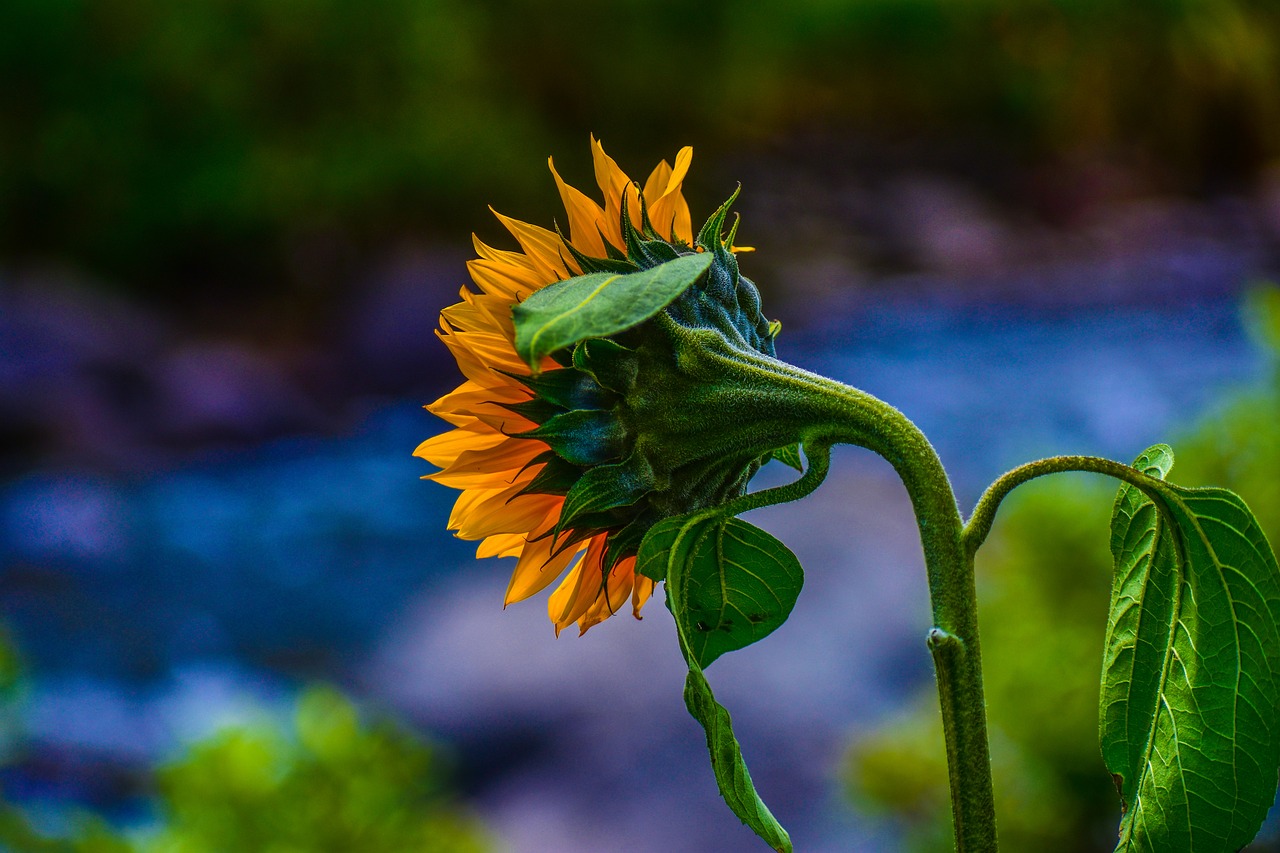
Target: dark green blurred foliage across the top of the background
158 140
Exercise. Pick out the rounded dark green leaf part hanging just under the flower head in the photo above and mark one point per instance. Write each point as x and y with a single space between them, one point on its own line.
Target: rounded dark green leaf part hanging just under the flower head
740 583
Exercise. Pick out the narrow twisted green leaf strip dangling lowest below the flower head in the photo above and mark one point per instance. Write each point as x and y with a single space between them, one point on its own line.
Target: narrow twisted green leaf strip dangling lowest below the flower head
669 551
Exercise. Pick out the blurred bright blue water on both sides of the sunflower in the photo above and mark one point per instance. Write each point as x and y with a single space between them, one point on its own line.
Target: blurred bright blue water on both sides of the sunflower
289 562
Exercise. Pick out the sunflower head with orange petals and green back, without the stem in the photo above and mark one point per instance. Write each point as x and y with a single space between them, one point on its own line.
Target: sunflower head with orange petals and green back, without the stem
566 458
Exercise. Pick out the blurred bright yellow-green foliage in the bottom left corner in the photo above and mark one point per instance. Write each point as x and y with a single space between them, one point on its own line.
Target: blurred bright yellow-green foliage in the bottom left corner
326 783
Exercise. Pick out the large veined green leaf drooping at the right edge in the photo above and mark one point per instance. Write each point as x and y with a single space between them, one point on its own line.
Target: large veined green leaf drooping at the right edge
1191 678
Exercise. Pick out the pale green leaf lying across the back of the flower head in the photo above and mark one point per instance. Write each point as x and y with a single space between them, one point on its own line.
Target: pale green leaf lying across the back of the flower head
600 305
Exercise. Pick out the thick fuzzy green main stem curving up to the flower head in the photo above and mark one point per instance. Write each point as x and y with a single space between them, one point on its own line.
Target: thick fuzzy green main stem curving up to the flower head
767 393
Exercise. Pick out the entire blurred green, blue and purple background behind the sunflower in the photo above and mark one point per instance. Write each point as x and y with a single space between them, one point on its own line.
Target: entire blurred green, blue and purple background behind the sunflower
234 619
